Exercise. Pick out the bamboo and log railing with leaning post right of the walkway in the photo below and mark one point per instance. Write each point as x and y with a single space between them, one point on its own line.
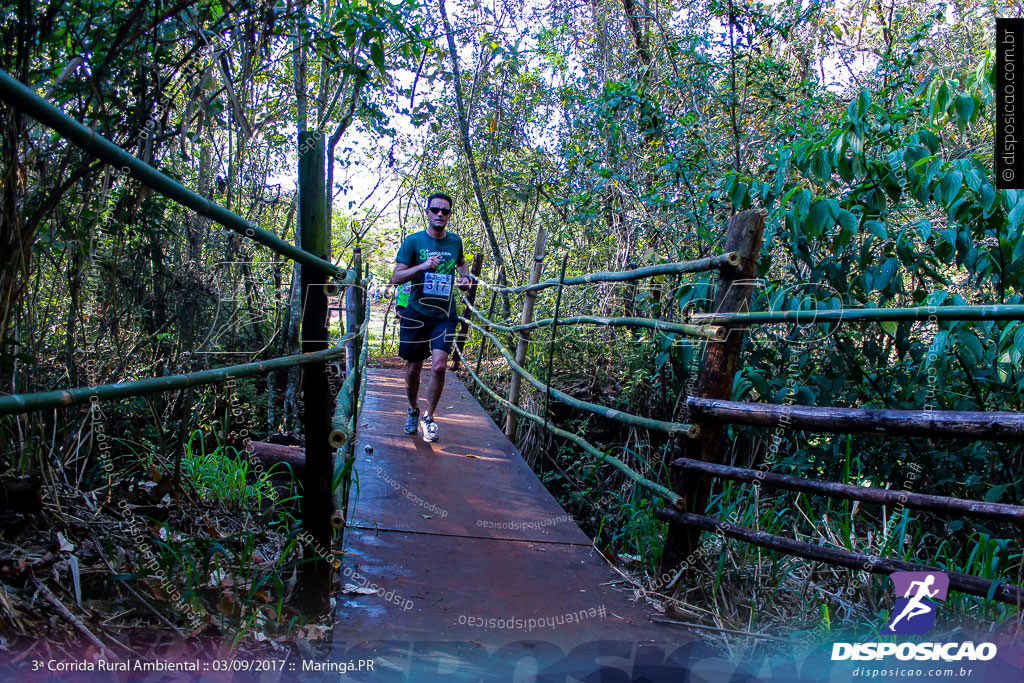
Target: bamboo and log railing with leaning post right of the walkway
711 411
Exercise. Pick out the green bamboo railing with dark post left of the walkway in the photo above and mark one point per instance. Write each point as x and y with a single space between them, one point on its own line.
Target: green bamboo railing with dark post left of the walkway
320 279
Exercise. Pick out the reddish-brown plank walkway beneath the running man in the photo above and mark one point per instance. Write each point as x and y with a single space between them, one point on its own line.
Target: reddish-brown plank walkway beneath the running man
467 569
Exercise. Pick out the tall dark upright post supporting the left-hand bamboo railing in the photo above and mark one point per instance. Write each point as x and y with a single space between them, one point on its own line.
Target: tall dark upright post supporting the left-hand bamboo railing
318 504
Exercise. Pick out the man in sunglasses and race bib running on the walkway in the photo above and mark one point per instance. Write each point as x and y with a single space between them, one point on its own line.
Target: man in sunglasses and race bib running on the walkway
429 261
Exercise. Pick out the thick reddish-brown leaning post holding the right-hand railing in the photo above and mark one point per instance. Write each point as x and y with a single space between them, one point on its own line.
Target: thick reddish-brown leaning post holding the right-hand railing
720 362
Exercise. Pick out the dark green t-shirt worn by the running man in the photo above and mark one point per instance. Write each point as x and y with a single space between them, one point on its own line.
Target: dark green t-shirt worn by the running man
433 293
